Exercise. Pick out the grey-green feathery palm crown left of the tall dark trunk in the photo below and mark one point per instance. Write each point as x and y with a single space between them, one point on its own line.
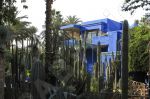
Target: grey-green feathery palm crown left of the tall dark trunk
22 31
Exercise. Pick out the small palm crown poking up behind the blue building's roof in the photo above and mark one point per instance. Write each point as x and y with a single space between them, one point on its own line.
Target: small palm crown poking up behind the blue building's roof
72 20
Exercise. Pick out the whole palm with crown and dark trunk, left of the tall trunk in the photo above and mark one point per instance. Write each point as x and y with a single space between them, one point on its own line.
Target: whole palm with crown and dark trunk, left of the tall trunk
19 32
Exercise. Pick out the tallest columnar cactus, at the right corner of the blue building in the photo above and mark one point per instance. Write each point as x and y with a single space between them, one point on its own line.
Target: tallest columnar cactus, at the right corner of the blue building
125 60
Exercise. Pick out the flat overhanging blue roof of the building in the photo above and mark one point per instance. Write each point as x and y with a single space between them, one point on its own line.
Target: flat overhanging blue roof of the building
105 25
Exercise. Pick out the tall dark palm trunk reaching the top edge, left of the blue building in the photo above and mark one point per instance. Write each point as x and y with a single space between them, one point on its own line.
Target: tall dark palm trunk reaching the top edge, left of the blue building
48 37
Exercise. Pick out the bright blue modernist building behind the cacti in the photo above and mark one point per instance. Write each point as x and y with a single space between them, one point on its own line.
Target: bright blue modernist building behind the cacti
103 32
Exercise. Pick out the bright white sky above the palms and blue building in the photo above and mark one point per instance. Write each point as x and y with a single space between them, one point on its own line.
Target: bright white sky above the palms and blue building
86 10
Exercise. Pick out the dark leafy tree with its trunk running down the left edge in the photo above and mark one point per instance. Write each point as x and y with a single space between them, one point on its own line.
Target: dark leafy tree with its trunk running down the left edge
7 17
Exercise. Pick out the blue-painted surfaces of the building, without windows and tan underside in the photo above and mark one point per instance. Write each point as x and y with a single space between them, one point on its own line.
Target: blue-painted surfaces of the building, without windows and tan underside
113 30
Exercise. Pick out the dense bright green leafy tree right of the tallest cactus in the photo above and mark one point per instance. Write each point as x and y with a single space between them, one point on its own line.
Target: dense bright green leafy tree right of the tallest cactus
138 54
